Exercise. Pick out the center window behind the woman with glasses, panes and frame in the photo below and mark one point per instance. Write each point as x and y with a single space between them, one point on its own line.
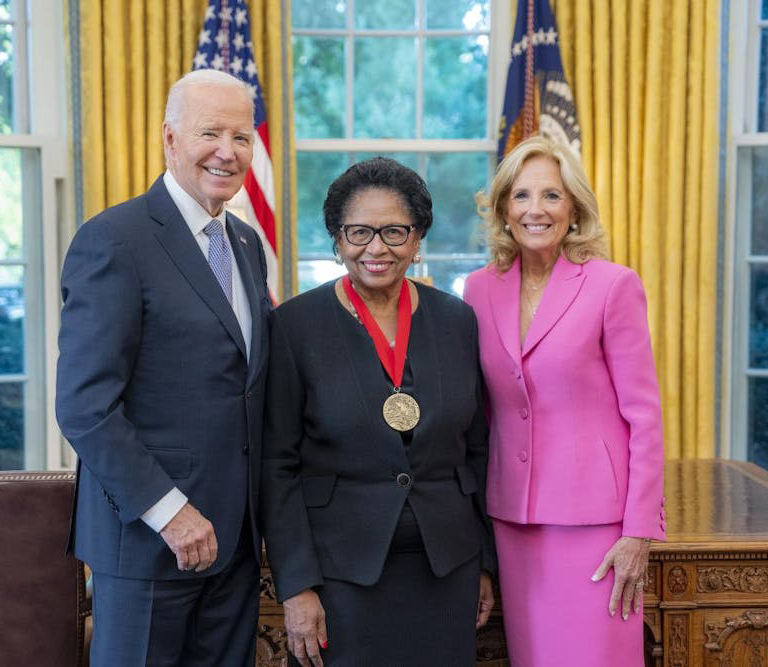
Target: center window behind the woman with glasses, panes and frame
407 79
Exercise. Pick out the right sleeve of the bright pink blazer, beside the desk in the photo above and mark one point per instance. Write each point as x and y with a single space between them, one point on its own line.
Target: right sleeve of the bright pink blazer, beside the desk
627 347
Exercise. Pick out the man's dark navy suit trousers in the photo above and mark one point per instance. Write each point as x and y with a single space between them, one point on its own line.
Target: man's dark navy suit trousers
200 622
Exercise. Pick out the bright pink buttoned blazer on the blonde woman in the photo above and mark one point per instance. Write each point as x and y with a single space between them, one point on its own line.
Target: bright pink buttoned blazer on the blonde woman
576 432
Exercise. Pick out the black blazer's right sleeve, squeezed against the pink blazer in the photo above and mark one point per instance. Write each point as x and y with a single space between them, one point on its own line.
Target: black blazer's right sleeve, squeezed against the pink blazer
477 460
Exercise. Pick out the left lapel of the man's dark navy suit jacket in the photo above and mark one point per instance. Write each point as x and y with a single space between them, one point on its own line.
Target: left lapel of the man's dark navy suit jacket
175 237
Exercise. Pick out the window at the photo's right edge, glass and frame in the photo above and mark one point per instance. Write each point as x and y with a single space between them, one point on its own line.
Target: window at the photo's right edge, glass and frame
748 217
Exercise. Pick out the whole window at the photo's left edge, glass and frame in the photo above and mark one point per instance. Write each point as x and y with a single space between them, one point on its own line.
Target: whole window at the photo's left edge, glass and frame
33 162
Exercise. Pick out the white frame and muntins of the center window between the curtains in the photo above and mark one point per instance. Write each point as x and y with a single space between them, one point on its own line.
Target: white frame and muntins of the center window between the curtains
498 62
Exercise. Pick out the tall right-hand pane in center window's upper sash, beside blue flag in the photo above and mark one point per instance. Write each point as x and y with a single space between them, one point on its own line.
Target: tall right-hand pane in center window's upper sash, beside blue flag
455 71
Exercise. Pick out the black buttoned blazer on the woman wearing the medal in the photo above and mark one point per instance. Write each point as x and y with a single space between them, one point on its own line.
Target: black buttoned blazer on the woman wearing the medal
331 495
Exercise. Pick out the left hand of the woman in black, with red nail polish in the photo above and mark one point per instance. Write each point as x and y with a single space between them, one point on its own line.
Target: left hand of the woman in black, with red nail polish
305 625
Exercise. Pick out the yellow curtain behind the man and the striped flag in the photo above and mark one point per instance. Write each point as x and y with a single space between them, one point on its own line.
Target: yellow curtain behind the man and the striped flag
130 55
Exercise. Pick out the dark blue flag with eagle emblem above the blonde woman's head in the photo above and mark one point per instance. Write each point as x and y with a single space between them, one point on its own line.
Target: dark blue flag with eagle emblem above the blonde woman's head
537 97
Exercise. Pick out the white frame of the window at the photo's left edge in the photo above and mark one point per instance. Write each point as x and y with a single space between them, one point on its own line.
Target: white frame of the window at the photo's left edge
40 108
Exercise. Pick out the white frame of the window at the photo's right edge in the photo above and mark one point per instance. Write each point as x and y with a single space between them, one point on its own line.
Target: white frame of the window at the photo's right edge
743 81
